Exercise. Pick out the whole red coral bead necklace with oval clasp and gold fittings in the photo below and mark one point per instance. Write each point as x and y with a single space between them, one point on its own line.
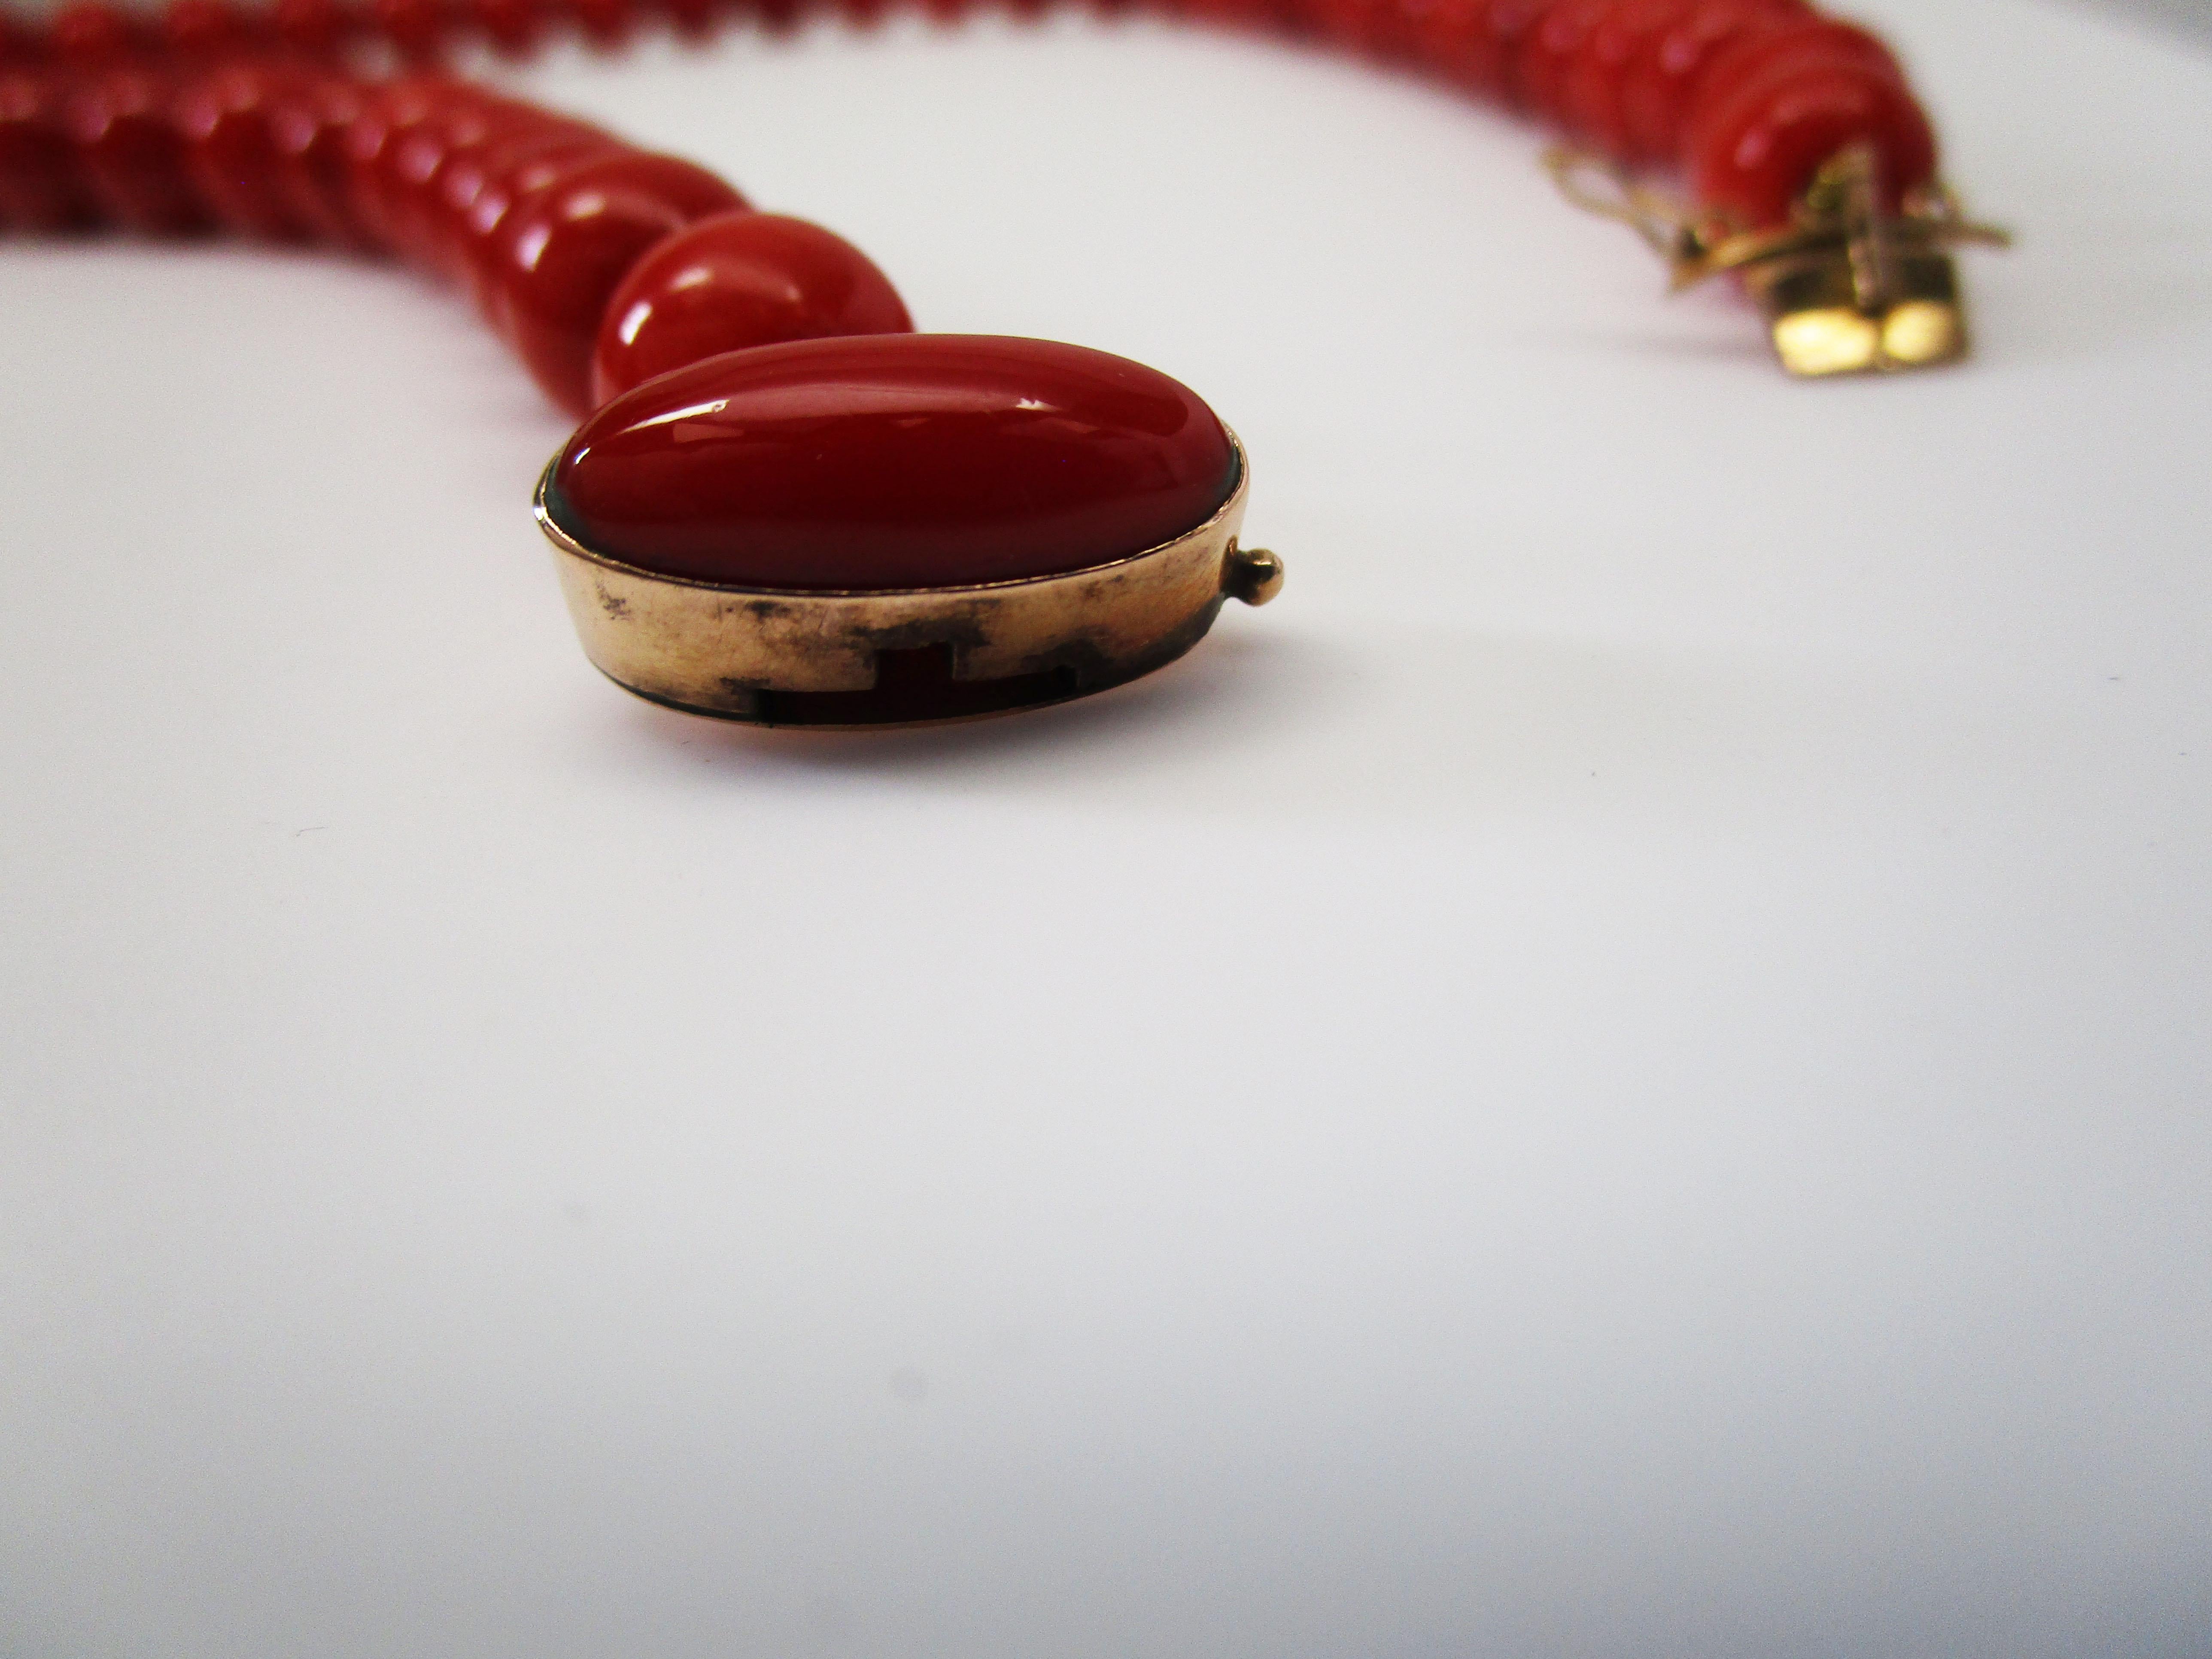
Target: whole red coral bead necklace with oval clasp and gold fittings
786 505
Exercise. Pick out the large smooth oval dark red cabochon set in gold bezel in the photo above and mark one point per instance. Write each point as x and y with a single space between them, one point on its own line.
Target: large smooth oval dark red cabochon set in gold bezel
895 461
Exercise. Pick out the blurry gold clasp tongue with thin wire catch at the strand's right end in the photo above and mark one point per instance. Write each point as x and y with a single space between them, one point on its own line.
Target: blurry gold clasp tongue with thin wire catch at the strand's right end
1846 286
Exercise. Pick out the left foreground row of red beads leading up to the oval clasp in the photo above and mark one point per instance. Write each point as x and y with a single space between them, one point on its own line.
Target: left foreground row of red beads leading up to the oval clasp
539 216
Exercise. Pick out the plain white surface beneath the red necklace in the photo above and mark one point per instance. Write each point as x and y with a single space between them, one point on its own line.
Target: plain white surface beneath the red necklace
1620 1074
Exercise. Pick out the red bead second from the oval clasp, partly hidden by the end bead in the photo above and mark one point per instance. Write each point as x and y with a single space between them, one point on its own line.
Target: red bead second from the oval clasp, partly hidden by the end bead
563 253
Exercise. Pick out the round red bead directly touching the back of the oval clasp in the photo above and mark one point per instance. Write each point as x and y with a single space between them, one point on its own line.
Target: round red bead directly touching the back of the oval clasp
738 280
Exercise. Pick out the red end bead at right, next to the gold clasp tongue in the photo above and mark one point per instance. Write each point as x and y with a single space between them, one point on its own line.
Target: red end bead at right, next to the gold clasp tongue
1757 152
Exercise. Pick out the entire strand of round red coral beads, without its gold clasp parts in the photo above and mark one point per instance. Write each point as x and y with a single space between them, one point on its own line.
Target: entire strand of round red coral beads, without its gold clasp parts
605 264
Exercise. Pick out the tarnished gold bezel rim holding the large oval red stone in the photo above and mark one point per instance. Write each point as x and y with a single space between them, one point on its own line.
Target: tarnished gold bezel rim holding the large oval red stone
904 656
